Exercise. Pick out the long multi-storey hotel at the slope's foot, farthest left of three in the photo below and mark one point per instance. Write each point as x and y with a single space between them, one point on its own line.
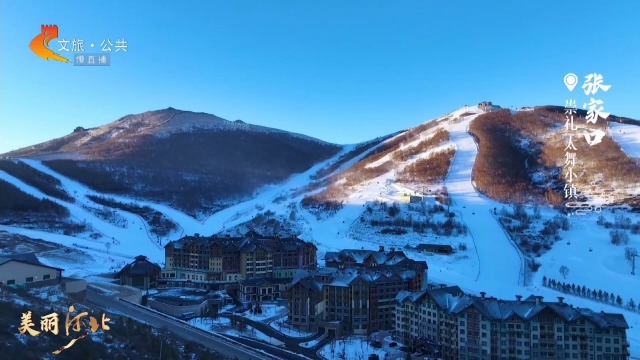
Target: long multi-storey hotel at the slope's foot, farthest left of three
201 260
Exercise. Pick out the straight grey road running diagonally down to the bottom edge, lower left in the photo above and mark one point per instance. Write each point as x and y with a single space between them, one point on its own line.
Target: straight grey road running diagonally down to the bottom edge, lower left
179 329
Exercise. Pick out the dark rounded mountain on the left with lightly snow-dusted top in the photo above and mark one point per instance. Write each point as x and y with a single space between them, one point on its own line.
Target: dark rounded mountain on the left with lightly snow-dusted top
196 162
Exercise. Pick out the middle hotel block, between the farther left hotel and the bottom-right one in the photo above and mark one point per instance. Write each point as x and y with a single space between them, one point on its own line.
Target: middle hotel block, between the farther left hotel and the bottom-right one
358 300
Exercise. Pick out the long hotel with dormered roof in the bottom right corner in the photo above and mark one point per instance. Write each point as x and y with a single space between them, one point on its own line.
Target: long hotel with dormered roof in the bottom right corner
459 326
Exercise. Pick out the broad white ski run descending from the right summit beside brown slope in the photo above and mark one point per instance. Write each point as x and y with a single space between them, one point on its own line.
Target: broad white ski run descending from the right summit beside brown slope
500 263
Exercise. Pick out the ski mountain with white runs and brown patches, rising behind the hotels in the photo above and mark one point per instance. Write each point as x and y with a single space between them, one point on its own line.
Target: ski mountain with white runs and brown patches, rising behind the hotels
453 181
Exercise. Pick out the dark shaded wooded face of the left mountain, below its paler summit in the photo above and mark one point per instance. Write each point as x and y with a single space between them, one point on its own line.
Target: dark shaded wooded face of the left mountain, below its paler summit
211 169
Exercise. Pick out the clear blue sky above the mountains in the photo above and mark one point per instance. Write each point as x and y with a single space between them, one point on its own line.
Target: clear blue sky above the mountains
342 71
